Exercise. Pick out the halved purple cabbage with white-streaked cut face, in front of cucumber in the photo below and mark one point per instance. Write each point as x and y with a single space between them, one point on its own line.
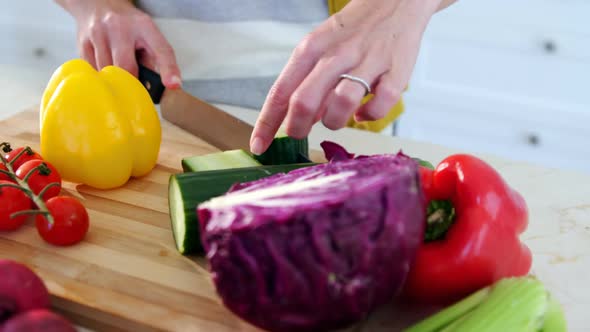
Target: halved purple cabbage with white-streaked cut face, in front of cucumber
317 248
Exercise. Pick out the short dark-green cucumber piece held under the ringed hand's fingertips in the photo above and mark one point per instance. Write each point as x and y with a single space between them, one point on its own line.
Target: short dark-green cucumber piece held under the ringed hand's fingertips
285 150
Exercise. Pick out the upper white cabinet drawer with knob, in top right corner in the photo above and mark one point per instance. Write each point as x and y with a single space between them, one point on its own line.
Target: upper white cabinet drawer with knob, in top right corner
539 50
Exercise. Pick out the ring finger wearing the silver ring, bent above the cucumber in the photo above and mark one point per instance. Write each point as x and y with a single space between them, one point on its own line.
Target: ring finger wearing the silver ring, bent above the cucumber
346 98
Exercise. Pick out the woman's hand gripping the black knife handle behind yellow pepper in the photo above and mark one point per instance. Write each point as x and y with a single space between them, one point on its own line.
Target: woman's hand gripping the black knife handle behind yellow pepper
115 32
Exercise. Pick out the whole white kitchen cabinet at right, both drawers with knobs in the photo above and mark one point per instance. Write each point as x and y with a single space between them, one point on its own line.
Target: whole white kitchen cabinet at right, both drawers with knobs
510 78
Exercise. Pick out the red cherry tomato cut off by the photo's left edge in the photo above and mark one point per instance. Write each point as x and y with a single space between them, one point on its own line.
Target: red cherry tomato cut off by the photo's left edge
12 200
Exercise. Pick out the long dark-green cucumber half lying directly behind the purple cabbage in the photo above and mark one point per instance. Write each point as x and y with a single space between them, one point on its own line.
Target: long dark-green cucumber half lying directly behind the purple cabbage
187 190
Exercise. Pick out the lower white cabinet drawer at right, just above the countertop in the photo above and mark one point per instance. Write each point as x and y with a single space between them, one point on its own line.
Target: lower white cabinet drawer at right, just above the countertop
533 140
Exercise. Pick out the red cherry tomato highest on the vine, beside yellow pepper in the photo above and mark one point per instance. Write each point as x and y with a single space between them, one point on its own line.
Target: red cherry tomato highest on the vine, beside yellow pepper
40 178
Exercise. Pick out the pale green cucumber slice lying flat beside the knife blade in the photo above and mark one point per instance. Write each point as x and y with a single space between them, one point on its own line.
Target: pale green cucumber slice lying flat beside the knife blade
219 160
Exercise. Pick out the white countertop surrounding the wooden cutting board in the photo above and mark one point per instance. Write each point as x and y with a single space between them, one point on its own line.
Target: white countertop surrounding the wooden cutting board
559 201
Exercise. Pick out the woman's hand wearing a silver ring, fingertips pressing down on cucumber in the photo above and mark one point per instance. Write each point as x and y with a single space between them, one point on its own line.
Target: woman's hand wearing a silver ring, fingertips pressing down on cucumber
375 40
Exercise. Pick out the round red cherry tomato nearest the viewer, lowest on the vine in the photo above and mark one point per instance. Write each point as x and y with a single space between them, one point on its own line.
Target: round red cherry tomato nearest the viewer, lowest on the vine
70 221
